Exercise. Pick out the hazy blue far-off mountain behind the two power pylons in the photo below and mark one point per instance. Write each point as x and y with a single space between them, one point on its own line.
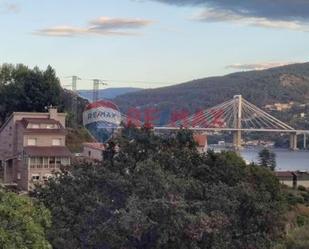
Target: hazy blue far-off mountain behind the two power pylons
108 93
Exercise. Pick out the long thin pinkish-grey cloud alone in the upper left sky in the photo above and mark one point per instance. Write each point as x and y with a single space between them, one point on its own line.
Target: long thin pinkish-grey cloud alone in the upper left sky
100 26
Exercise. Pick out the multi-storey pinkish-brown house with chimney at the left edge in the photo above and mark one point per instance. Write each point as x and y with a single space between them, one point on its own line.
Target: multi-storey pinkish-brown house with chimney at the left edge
32 147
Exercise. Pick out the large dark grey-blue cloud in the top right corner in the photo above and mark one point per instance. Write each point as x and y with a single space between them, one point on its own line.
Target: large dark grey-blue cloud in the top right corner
290 14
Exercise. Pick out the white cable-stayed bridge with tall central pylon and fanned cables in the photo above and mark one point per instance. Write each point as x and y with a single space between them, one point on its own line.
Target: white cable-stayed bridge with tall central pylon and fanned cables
236 116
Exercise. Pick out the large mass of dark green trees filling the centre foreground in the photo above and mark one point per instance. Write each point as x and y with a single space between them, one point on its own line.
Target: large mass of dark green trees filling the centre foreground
160 193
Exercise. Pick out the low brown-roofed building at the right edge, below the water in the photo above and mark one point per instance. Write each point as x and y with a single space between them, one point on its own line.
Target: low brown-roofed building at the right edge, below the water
293 179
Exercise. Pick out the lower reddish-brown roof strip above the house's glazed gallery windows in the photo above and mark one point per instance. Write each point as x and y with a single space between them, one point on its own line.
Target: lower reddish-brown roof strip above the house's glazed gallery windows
60 151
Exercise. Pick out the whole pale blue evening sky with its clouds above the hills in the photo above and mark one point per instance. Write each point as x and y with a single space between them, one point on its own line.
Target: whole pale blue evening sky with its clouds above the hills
152 43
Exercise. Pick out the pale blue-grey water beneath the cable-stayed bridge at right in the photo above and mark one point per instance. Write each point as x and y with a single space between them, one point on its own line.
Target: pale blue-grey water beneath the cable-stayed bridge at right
286 159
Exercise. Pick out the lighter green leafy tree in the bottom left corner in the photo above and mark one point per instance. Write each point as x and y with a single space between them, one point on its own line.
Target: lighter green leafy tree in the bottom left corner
22 223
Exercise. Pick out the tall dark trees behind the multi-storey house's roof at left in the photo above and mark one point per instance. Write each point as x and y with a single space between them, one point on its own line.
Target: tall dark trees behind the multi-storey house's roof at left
25 89
